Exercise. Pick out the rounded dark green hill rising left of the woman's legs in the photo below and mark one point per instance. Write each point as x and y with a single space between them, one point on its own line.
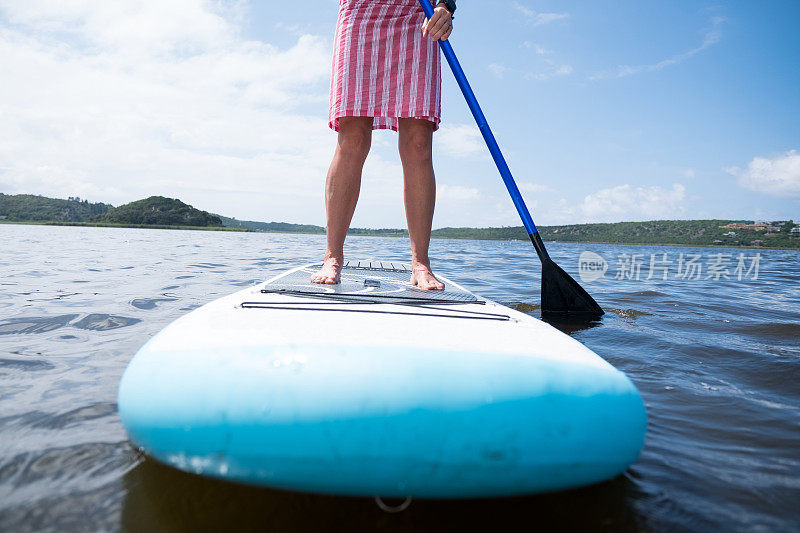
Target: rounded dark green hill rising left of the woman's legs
158 210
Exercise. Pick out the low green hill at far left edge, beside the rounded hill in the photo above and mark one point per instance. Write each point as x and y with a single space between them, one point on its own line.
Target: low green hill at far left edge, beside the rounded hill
34 208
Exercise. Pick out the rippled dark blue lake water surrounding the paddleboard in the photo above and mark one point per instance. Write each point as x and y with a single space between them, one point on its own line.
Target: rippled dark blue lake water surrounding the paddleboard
717 362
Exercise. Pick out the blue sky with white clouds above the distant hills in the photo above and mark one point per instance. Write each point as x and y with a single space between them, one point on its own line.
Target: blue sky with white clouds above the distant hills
606 111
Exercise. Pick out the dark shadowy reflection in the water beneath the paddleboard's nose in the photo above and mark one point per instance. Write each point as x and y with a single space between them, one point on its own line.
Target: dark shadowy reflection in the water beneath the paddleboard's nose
161 498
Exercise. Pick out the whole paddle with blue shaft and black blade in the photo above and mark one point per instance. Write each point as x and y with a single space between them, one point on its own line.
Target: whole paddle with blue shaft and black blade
561 295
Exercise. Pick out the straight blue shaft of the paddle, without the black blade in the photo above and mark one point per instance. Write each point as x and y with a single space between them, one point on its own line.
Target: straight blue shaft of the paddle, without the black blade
488 136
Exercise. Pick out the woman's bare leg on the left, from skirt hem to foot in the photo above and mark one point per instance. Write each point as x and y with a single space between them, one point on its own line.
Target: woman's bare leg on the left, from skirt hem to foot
341 191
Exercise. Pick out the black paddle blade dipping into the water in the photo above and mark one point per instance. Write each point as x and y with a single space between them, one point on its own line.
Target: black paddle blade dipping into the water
562 297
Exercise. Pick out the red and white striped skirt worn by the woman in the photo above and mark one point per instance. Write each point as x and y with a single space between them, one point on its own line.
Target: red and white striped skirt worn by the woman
382 66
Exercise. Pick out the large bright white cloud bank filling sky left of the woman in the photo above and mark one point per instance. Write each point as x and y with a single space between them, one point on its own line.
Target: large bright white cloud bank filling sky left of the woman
114 101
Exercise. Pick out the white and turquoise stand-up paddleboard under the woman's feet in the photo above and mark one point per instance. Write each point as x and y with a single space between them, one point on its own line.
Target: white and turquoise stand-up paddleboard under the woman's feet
376 388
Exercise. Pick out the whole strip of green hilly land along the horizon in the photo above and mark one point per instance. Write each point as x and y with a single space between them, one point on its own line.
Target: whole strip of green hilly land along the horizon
159 212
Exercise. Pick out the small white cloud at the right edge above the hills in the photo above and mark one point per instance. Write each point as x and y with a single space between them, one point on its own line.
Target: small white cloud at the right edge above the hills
778 175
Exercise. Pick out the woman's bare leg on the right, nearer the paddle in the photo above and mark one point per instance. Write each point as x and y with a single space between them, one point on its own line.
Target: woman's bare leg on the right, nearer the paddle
415 144
